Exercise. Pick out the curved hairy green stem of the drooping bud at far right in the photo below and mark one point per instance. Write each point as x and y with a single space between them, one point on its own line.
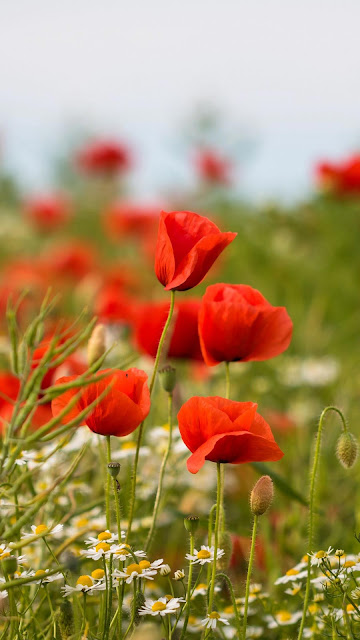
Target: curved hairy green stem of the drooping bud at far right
312 506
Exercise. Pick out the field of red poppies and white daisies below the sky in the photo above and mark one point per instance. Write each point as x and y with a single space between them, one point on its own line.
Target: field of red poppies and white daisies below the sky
179 407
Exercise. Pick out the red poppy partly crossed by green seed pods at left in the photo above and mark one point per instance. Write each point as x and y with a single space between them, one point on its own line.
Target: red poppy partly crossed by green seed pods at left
119 412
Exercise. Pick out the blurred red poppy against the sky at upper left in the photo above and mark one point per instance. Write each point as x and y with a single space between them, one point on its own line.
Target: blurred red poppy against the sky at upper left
104 156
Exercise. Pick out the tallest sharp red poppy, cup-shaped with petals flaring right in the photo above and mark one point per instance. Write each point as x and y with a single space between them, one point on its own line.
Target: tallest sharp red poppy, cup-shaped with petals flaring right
187 246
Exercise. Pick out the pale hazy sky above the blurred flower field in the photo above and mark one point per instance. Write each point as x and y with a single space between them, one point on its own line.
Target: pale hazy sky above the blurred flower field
282 73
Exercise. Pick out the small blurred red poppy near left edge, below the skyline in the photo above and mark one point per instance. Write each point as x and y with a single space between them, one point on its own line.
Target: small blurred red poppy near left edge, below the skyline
48 213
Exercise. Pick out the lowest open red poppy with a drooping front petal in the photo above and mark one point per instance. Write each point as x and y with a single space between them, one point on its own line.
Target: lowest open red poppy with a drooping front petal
223 430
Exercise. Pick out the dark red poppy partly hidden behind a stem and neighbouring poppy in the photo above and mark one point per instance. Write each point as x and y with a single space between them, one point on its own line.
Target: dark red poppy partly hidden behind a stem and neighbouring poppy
149 323
